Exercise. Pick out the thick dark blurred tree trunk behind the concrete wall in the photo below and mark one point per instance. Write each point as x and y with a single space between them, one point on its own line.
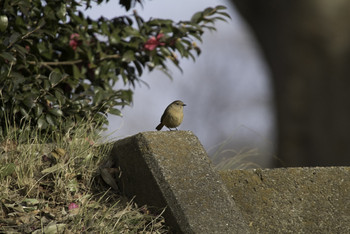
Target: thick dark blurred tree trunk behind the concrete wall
307 46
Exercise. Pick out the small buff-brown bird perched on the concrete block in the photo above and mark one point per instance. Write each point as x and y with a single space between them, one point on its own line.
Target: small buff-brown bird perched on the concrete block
172 116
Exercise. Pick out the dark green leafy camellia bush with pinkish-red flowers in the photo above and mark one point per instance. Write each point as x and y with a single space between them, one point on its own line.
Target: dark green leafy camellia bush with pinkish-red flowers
58 67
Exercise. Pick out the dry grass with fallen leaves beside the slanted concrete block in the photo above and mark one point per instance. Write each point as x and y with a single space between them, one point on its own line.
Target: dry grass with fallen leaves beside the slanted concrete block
56 188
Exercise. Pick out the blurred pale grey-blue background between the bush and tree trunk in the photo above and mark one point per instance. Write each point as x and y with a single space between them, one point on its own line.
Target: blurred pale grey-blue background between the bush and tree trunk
227 89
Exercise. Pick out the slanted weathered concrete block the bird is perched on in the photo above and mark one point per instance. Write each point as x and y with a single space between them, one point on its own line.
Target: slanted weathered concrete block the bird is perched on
171 169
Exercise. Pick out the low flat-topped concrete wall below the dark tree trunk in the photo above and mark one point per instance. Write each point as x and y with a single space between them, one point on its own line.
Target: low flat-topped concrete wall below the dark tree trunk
293 200
